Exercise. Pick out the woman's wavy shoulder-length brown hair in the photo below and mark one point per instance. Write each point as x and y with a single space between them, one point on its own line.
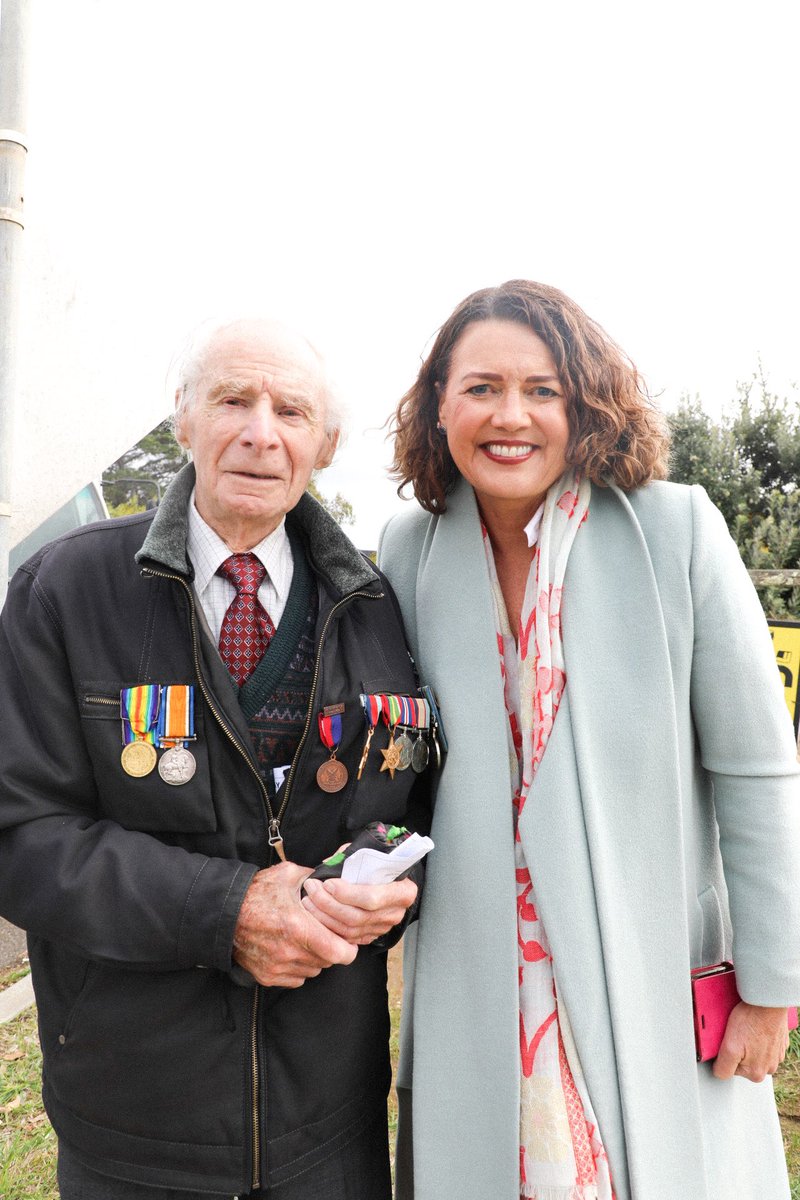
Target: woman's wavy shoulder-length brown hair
616 433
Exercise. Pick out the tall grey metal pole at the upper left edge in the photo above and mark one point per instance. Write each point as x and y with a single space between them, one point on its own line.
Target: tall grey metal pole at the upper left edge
14 38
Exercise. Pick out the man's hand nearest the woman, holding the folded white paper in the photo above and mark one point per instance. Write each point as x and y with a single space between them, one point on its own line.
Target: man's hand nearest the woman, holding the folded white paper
359 913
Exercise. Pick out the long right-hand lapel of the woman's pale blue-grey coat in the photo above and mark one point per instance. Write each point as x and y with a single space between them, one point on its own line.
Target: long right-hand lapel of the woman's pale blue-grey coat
605 844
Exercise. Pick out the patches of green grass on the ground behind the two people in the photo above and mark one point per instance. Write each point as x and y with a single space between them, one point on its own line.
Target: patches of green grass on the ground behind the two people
28 1143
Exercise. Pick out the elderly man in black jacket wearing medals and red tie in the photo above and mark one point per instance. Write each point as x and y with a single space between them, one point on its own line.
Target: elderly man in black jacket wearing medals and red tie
184 731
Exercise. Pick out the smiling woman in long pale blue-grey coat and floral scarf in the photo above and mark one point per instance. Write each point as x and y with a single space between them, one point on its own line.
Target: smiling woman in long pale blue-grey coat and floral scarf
619 802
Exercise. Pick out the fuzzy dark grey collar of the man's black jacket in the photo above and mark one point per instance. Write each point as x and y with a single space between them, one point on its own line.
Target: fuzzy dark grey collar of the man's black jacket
332 553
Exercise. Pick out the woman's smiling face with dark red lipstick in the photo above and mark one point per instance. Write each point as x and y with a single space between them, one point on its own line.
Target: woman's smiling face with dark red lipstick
506 415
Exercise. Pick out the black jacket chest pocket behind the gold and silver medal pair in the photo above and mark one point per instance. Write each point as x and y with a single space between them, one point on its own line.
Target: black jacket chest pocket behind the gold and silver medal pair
143 802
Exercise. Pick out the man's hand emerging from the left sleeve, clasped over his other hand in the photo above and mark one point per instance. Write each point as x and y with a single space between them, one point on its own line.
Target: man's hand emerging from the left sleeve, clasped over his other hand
276 940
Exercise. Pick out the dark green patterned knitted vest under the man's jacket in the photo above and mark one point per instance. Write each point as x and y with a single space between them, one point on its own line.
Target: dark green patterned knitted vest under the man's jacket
275 699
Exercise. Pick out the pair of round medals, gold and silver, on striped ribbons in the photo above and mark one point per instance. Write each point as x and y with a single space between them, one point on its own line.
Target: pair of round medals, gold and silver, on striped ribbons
159 717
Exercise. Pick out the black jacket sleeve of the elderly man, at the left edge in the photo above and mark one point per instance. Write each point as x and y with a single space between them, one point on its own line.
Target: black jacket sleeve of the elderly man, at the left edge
68 874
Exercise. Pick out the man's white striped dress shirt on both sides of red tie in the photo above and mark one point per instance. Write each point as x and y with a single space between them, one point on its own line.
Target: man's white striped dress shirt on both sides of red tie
208 553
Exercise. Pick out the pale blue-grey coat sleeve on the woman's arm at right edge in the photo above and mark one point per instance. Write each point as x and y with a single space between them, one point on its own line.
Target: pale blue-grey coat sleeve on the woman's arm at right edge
748 746
